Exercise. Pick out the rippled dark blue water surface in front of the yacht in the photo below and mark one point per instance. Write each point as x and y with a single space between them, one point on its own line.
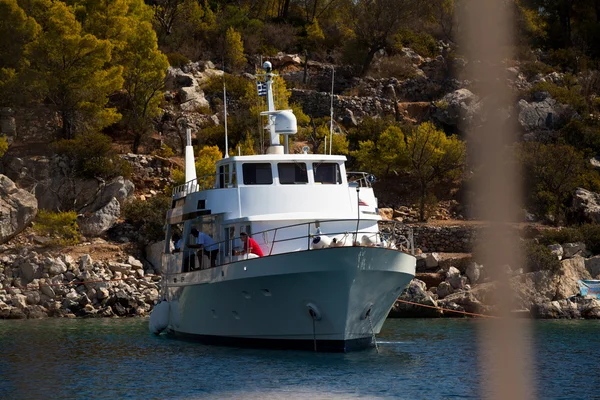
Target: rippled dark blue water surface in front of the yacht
418 359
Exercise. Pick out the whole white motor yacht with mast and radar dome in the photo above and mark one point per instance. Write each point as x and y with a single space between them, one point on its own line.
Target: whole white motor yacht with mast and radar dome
326 273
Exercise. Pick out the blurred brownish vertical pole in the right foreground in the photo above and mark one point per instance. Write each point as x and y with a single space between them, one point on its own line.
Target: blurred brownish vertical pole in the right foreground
487 30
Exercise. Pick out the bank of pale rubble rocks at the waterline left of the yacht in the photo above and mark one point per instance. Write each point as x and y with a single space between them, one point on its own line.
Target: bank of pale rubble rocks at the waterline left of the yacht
38 283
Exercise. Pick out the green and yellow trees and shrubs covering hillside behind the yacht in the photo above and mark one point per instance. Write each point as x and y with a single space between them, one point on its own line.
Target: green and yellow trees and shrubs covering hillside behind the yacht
101 66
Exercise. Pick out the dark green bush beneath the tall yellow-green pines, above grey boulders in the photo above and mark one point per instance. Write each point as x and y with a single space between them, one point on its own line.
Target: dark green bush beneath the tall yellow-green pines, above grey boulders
93 157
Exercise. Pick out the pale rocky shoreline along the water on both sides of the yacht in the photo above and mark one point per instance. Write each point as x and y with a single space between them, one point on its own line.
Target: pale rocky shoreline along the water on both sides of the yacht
101 279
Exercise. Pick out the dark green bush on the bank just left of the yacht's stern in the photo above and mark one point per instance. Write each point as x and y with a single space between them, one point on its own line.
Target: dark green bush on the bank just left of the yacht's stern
148 215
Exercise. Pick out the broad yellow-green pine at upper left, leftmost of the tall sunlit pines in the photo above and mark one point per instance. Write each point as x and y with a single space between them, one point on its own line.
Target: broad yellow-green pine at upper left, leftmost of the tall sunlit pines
69 69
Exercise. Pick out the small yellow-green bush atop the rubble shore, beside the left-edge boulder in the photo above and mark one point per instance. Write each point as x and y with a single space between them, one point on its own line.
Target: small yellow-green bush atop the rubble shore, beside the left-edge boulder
61 227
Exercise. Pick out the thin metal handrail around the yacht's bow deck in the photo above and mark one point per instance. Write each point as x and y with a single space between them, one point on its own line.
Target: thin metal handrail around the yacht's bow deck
389 236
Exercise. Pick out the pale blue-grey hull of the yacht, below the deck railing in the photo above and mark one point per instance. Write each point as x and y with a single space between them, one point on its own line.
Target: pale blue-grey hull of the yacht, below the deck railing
334 299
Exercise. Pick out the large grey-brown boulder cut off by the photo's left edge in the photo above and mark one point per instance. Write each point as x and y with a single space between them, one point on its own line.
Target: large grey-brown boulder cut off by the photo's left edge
17 209
